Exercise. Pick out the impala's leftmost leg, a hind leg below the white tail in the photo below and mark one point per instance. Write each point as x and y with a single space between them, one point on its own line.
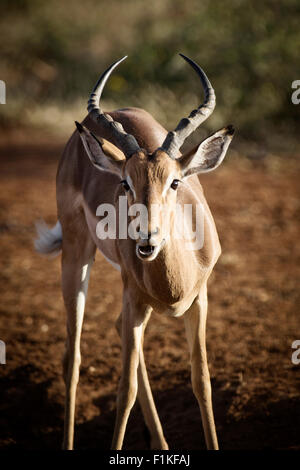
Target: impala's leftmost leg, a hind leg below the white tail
77 259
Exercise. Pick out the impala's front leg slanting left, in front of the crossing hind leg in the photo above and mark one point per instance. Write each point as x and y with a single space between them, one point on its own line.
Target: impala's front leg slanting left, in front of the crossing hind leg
133 318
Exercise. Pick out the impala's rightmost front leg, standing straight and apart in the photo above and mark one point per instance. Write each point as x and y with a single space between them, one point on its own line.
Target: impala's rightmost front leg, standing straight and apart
195 324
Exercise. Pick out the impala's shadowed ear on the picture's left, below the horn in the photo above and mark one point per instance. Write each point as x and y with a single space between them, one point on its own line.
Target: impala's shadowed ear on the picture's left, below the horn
103 155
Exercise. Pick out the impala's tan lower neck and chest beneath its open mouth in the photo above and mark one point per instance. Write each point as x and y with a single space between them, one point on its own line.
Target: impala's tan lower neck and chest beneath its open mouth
177 270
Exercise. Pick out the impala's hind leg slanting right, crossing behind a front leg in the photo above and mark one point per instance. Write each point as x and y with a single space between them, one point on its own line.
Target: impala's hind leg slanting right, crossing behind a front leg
145 396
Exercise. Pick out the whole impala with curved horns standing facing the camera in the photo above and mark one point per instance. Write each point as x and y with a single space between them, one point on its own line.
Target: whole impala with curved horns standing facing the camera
134 157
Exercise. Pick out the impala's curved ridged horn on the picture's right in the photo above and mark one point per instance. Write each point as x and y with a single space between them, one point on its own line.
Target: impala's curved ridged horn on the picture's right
186 126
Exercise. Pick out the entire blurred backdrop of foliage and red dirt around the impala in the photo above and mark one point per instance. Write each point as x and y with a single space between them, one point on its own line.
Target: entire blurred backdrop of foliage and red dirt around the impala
51 55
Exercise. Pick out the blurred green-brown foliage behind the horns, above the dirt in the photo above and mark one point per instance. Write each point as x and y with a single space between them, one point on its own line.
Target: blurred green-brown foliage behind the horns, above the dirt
53 52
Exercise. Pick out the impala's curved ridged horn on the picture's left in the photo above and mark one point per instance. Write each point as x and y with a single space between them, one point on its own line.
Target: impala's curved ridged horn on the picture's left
114 130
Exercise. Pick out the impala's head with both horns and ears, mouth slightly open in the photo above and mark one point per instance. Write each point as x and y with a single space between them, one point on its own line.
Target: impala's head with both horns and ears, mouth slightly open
152 180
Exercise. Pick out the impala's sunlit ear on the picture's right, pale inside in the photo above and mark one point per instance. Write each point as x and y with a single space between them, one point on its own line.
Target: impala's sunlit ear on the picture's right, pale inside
208 155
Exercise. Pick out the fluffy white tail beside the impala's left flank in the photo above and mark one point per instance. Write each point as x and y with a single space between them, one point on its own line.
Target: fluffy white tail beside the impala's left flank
49 240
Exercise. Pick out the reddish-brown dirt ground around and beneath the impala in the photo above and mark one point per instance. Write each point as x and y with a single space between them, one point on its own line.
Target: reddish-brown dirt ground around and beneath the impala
253 319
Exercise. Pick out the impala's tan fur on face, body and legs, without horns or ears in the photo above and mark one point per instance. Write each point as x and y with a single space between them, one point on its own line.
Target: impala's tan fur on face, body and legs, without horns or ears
174 283
